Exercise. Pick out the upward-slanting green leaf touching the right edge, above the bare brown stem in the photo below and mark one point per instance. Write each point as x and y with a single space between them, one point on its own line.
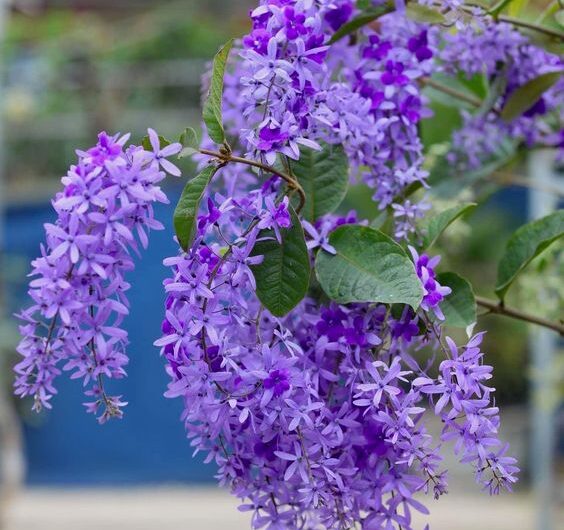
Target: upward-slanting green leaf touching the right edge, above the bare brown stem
525 245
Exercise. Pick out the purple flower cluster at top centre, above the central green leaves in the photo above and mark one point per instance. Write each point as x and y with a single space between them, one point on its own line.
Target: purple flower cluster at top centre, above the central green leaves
283 94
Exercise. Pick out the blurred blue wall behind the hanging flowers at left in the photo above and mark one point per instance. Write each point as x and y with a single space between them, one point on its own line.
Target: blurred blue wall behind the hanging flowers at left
67 446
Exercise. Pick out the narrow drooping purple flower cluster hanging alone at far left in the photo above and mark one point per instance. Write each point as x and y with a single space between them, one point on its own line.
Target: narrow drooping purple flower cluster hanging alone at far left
78 288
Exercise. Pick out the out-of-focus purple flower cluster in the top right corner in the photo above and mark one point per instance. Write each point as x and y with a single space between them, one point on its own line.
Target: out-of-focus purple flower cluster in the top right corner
499 50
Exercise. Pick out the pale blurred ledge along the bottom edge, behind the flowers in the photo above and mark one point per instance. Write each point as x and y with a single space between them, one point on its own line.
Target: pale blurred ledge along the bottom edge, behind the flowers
212 509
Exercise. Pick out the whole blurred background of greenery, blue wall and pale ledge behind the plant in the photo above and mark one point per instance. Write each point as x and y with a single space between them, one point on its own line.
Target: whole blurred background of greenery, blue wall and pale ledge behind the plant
71 68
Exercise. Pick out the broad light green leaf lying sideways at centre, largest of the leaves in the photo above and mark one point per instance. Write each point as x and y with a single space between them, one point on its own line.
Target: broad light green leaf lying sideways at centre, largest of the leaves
368 267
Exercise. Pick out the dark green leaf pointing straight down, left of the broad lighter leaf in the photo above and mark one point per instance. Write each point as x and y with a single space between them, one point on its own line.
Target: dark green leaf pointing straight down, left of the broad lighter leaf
283 276
